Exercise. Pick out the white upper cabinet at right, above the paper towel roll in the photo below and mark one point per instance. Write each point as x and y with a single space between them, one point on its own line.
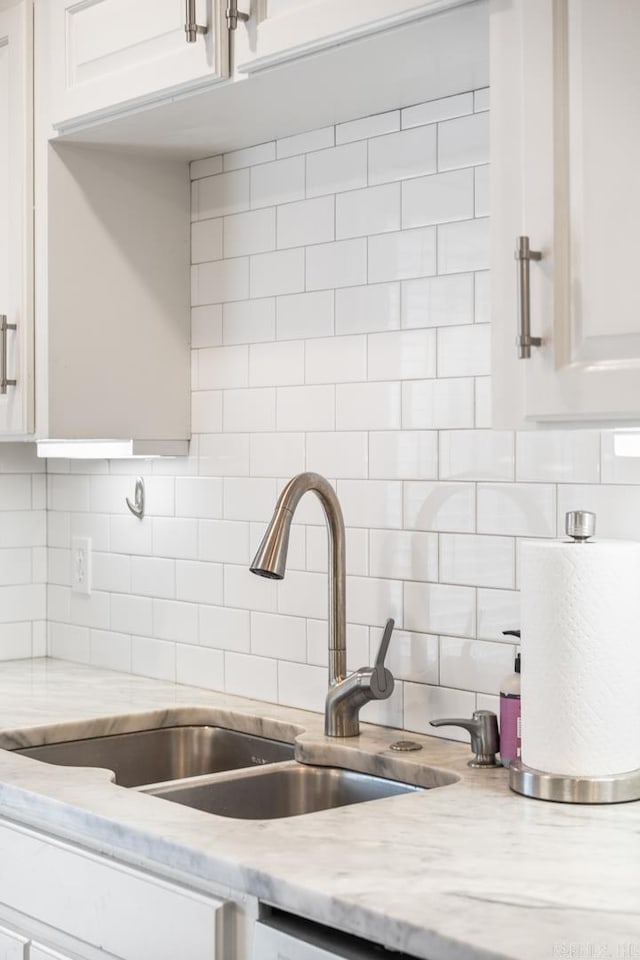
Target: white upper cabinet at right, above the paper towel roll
565 100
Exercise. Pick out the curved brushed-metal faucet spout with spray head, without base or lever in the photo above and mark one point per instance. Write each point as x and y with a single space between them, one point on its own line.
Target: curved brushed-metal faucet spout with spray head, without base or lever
271 558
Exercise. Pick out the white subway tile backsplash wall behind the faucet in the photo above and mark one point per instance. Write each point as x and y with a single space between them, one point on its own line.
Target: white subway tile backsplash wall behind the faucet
340 324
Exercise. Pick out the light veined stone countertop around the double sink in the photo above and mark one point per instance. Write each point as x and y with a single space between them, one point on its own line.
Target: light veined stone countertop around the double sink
462 872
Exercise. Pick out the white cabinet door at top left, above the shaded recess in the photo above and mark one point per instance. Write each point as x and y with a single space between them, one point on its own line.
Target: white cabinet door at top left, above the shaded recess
108 53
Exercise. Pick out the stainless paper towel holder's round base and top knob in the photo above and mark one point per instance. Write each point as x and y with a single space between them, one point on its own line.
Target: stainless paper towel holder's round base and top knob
580 525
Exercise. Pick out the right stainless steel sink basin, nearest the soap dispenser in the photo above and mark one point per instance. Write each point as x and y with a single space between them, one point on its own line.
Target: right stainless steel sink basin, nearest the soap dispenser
288 791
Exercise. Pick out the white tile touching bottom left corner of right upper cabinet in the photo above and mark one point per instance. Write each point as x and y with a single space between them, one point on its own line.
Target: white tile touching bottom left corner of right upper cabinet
476 455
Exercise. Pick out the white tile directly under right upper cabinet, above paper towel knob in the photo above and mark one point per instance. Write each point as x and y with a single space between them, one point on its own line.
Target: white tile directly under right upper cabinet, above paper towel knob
570 456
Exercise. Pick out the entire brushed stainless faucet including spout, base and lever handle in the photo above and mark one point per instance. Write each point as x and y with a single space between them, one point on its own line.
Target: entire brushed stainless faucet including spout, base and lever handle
347 692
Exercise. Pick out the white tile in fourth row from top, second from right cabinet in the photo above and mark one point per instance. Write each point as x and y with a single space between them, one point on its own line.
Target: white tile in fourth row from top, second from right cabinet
399 256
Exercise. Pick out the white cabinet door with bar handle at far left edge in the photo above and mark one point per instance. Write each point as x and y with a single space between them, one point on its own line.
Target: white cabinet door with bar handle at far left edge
16 400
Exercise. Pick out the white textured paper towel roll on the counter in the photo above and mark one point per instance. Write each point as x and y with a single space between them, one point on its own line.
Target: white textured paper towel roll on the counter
580 656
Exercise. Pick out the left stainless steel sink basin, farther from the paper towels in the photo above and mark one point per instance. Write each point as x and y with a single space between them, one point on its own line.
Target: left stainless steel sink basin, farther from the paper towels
165 753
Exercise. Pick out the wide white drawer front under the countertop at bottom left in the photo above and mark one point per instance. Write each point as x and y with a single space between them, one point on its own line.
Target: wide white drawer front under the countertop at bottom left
110 906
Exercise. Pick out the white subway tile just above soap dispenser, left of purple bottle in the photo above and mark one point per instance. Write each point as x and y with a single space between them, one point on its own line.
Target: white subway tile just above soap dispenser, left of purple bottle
474 664
